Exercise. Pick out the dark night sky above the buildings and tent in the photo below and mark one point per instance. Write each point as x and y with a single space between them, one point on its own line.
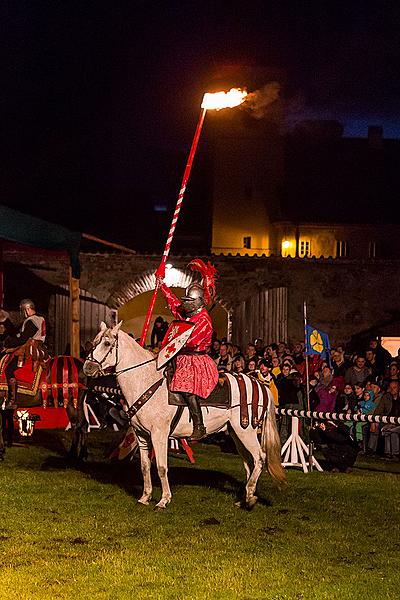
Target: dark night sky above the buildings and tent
89 89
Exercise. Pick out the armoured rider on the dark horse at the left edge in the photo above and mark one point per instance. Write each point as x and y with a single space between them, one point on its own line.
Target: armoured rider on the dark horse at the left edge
33 328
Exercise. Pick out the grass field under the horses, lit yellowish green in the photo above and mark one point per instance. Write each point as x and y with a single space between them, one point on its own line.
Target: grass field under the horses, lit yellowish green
79 533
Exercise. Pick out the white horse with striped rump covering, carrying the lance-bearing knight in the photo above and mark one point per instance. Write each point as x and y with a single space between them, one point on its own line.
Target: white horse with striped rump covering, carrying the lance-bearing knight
151 415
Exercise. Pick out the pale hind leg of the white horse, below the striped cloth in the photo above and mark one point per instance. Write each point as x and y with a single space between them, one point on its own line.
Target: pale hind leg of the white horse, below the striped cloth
253 458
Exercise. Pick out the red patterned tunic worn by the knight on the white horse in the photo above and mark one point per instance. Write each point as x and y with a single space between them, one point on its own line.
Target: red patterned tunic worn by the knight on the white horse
196 373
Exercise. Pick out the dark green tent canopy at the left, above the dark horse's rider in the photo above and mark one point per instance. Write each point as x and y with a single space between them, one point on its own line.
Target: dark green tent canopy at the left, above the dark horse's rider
20 228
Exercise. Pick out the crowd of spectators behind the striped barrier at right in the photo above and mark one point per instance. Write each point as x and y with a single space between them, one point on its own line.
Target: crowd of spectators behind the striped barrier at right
365 382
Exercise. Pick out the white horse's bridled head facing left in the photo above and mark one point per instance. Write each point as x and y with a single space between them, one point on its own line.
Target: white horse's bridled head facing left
104 354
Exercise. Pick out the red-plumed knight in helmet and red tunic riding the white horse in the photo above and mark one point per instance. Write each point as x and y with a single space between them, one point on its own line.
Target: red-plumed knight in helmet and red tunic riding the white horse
196 374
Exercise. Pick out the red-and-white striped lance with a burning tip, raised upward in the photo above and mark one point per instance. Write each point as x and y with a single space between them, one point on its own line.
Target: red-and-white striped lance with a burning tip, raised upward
216 101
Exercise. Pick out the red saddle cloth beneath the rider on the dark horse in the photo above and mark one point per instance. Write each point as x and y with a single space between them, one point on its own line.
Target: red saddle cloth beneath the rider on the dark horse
28 378
